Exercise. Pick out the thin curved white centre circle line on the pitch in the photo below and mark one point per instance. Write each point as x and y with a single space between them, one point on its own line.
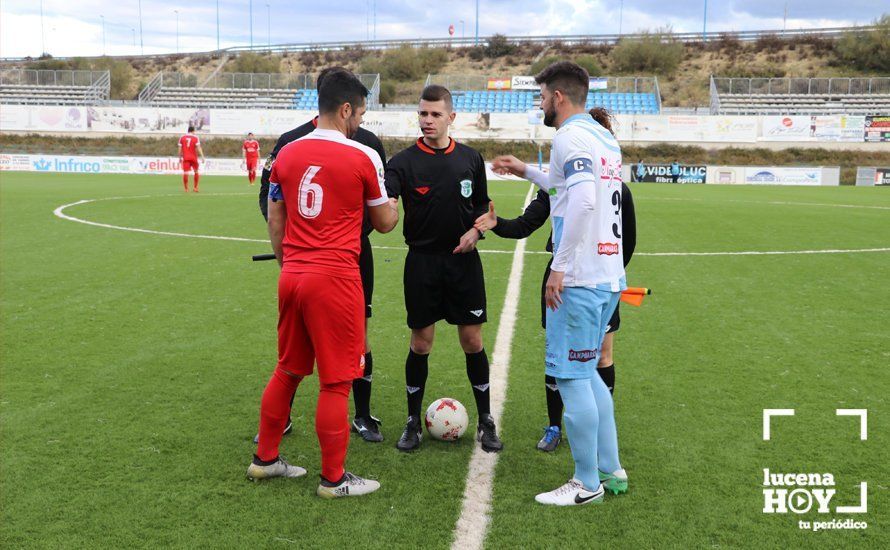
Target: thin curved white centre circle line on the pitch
60 213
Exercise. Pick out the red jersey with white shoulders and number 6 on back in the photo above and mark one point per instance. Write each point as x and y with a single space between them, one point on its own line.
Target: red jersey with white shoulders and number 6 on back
325 180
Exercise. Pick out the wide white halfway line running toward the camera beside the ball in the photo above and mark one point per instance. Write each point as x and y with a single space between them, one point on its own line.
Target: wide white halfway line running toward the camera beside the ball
469 532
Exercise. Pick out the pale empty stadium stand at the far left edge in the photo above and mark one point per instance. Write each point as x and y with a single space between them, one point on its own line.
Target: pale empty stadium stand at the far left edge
33 87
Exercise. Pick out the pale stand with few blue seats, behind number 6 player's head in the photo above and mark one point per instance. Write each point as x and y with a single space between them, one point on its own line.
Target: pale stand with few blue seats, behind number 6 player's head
241 91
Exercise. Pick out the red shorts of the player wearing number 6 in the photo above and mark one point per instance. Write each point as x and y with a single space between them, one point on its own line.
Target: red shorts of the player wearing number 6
321 319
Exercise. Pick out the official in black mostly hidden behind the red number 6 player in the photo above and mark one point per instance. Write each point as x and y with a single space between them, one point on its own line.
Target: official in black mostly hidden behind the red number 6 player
364 424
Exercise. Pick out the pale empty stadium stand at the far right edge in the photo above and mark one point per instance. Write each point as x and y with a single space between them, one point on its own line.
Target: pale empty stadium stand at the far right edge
800 96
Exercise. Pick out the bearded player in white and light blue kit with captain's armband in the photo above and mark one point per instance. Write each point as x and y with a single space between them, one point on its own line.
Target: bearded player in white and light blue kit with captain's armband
586 280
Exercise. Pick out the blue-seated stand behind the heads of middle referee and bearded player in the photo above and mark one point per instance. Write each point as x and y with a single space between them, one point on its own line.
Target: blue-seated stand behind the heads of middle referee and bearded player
631 95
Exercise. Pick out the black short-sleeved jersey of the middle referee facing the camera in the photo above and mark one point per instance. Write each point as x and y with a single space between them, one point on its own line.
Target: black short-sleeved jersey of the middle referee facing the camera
443 192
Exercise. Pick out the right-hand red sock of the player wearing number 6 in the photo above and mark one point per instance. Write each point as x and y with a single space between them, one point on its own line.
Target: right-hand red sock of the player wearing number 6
332 427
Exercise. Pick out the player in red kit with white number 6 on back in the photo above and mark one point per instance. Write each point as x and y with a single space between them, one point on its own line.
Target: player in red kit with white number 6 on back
317 190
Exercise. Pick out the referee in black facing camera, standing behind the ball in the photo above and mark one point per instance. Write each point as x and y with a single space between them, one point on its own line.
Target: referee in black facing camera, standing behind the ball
444 189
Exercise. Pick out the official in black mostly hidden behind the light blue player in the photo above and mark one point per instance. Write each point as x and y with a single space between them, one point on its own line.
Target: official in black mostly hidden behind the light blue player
534 216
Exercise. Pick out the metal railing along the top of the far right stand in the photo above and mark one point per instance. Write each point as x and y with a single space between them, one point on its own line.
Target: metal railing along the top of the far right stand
830 86
